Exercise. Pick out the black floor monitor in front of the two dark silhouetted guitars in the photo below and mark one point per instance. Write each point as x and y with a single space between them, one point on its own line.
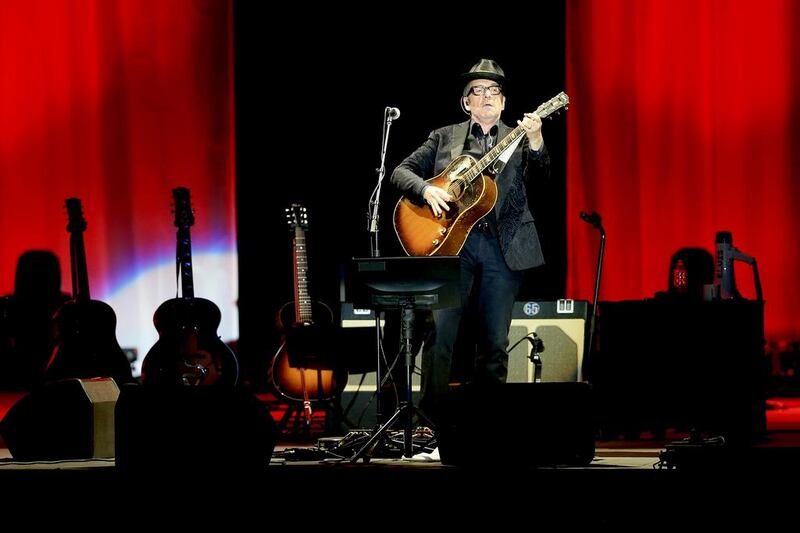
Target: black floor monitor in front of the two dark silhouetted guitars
192 430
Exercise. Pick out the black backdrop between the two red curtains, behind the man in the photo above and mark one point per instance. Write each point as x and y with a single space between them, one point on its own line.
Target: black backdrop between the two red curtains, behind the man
309 120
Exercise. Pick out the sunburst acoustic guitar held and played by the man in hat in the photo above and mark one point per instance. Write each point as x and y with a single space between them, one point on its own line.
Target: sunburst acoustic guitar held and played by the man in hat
474 194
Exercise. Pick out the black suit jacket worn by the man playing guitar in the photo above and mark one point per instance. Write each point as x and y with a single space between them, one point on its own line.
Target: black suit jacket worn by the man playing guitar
518 237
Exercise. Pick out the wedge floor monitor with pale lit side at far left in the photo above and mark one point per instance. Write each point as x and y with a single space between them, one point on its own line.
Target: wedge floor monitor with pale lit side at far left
68 419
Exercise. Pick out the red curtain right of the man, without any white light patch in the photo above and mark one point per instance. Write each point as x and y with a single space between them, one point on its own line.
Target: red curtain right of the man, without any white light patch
684 122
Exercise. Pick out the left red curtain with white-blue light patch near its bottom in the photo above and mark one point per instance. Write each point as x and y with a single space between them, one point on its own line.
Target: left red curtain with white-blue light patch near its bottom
117 102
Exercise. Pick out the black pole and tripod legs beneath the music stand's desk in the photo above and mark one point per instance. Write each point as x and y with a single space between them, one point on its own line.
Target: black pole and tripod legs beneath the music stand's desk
405 410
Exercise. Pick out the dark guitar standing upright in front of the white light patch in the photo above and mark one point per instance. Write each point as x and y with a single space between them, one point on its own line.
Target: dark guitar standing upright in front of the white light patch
188 351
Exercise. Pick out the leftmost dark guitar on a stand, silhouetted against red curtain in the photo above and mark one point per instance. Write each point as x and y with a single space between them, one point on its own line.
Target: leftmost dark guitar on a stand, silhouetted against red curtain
85 329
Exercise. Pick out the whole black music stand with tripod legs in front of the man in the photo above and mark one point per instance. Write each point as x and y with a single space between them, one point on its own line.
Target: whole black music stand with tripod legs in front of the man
405 283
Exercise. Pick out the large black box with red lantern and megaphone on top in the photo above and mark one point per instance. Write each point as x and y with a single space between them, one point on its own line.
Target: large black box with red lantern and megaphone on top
684 364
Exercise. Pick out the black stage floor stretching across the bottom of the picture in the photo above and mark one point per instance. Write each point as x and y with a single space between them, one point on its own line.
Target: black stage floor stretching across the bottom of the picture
624 488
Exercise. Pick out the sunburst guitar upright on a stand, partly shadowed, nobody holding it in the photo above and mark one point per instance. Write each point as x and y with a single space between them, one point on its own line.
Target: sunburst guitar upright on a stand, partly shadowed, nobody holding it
302 369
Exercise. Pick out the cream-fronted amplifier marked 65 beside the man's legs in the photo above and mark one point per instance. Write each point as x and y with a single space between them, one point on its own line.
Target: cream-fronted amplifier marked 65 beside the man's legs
561 325
